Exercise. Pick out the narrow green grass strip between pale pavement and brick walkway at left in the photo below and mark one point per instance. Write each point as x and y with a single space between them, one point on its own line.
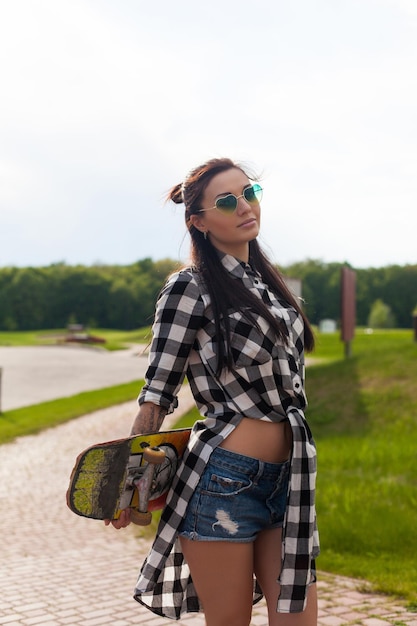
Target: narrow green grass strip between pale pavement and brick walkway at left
29 420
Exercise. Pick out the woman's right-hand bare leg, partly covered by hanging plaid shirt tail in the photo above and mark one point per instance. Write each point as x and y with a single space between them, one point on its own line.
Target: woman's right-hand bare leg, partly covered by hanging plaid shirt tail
267 566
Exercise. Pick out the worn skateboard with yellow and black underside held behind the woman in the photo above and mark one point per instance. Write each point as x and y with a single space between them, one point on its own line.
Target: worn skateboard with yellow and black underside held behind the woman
134 473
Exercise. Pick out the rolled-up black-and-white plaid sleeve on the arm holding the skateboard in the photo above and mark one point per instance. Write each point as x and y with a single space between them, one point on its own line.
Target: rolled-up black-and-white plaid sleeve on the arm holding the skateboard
179 315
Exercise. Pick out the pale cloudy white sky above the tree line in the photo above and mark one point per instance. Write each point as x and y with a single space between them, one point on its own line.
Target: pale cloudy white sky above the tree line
106 104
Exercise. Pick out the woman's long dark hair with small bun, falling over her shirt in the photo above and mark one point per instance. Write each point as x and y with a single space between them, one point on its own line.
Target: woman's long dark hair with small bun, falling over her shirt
225 291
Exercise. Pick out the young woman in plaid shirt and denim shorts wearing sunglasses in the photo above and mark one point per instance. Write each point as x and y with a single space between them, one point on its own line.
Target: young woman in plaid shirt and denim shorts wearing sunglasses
240 517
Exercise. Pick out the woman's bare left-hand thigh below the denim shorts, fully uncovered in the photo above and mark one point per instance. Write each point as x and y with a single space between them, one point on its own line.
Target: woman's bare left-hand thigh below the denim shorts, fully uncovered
222 573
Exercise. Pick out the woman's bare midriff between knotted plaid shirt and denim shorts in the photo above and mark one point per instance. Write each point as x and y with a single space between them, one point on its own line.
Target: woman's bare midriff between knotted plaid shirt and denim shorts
267 441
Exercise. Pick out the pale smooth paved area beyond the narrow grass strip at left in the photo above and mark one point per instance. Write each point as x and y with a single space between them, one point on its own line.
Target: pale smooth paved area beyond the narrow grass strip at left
36 374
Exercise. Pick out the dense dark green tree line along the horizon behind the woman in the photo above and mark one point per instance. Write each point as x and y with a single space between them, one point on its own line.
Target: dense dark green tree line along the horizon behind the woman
123 297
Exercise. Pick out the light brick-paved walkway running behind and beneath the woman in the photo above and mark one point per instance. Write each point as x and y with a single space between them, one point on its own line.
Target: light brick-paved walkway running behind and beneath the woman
57 568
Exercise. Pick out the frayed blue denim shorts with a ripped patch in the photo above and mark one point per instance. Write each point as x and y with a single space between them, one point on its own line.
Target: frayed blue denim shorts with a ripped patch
237 497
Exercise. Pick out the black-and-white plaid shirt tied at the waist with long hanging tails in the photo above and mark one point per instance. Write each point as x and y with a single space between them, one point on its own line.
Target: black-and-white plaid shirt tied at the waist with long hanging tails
266 383
